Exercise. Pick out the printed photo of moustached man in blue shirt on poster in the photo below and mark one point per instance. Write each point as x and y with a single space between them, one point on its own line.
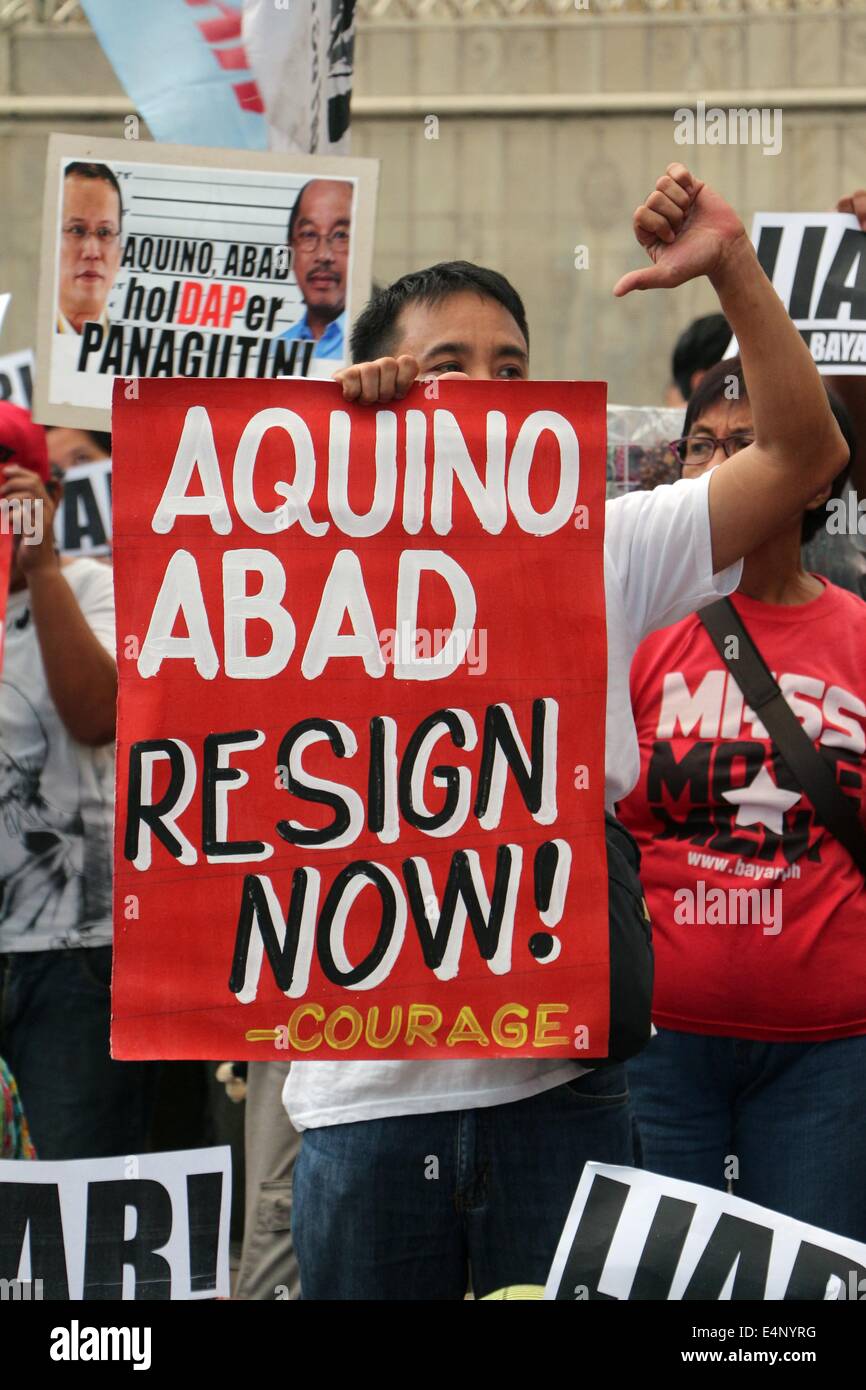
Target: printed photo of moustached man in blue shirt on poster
319 240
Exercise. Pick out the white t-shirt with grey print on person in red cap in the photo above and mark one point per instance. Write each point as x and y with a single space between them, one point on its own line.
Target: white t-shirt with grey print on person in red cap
56 796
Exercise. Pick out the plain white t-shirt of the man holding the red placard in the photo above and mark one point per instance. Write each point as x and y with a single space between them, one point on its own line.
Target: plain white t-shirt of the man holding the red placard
658 569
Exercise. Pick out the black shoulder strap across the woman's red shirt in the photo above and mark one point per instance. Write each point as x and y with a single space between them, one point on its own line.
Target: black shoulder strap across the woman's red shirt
836 811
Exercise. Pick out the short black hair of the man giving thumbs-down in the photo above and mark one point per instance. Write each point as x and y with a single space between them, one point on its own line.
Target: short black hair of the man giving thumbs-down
375 329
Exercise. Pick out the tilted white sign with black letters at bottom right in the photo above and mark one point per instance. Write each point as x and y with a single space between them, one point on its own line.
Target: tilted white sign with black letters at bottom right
633 1235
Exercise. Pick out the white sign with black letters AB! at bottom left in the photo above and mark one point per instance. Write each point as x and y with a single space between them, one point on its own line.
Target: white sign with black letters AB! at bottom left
149 1227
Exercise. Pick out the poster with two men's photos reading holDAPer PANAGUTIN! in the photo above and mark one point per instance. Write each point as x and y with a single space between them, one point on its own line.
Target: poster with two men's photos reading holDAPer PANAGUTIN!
169 262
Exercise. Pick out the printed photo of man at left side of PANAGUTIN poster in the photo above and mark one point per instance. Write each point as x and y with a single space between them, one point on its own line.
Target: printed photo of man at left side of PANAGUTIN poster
91 245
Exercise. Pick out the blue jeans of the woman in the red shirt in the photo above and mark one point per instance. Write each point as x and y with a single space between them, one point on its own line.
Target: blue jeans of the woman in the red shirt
786 1122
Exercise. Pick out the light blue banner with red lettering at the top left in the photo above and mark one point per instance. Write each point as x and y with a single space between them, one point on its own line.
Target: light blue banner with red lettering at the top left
184 67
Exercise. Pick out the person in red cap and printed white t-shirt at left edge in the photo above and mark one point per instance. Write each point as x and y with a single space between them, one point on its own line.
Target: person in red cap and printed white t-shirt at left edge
58 717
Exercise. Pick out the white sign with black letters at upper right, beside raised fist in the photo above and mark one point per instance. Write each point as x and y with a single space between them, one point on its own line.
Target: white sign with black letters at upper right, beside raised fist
818 266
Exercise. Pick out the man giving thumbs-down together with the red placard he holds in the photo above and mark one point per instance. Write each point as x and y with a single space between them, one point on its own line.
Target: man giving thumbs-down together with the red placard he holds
459 1157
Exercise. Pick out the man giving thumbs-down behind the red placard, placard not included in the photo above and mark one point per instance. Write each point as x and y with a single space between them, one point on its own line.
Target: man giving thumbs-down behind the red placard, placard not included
419 1178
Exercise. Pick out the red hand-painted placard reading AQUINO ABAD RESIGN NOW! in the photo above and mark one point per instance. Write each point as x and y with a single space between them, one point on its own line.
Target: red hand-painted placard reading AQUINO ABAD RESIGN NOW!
362 722
